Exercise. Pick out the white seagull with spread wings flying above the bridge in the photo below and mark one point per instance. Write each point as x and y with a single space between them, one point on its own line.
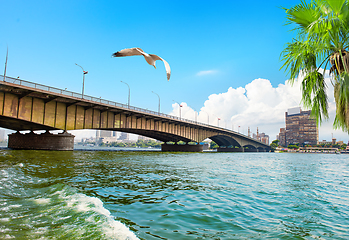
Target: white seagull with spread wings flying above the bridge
150 58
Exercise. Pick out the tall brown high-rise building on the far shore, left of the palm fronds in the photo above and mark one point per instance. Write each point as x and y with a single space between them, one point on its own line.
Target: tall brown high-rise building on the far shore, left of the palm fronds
300 128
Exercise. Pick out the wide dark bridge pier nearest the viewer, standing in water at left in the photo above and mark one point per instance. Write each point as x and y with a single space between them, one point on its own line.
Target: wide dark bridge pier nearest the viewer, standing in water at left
45 141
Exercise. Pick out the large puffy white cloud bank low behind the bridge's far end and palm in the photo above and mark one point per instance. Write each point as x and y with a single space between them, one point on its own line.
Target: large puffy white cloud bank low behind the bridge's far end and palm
258 104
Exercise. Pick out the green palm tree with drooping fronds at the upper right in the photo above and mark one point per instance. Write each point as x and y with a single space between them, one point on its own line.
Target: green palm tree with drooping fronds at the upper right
321 44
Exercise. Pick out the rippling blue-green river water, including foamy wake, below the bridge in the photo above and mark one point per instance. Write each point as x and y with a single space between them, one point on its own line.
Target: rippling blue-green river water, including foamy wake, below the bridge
156 195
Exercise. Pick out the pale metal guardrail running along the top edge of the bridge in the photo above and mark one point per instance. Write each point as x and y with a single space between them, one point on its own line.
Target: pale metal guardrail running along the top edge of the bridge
107 102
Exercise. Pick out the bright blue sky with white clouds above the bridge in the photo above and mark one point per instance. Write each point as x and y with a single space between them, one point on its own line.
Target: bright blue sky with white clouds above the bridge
224 57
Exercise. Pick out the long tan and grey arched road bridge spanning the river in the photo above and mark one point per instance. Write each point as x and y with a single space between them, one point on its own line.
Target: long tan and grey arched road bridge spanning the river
31 106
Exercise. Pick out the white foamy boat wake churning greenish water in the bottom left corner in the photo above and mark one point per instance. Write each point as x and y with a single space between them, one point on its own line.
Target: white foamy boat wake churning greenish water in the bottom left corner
32 208
